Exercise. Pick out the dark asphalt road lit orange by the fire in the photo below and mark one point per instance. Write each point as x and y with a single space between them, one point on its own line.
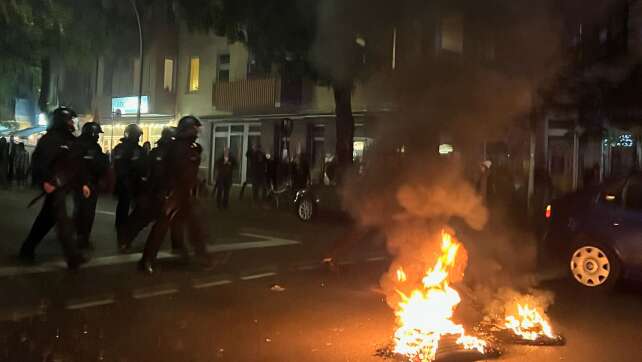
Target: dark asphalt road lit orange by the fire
108 312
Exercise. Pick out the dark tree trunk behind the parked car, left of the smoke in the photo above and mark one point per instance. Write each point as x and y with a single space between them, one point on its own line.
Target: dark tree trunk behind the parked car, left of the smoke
345 127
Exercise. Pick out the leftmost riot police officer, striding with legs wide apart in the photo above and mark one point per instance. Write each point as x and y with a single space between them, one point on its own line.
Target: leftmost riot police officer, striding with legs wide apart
55 169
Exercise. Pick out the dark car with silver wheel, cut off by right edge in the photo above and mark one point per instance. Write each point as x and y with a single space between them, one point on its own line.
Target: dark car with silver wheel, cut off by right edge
597 233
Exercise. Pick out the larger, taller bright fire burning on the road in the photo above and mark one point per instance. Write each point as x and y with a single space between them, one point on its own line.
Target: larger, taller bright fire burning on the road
425 315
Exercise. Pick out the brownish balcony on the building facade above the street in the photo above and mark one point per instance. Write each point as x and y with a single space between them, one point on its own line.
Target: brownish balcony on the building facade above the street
247 95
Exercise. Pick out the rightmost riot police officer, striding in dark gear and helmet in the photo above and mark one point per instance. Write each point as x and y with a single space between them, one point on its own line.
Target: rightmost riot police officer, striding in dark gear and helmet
178 182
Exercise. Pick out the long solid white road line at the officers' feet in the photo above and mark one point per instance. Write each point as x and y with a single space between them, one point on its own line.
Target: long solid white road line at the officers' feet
58 265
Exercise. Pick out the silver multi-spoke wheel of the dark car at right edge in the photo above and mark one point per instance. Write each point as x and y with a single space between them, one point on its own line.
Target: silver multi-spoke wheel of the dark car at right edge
594 266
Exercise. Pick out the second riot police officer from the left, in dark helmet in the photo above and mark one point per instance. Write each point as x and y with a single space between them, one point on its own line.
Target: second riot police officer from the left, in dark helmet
93 168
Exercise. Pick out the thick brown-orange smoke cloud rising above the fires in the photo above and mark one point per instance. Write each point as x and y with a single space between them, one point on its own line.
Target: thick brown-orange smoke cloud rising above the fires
410 193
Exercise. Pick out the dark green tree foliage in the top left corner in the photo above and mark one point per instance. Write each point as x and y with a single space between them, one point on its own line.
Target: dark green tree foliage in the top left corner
33 33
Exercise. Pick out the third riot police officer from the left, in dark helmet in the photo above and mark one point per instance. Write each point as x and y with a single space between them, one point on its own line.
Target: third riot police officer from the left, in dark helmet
130 165
